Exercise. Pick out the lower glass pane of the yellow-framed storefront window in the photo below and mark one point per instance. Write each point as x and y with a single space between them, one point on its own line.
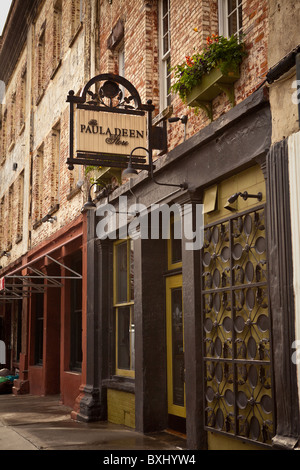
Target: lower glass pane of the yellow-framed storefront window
123 338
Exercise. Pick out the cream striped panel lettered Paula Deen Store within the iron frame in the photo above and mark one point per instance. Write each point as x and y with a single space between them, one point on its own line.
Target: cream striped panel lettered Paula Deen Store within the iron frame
110 133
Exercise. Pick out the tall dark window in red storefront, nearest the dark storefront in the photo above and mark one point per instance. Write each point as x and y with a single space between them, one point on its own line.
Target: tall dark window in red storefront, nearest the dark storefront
76 317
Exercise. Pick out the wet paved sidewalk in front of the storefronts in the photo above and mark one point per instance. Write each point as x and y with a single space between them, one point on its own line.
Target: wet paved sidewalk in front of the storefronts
40 423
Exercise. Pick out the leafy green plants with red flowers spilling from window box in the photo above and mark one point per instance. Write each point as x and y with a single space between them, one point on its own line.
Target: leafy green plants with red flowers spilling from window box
221 53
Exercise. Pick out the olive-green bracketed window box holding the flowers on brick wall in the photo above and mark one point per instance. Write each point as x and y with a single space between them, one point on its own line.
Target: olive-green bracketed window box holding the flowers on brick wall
211 85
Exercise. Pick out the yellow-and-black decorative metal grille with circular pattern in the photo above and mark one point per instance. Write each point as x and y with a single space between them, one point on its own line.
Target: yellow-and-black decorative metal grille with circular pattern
236 325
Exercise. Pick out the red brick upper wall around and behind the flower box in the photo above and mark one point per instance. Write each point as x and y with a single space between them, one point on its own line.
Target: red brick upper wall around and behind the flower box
141 50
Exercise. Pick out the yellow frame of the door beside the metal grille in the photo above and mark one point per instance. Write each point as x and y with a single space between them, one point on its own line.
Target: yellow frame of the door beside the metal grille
172 282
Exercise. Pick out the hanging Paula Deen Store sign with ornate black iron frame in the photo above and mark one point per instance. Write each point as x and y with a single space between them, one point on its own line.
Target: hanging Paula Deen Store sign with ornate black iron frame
117 98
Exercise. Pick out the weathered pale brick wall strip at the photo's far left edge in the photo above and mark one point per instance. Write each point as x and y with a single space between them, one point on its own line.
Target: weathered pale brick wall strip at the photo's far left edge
12 164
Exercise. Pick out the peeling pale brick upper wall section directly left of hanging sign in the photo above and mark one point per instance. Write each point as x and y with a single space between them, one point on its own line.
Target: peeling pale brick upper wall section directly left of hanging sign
64 70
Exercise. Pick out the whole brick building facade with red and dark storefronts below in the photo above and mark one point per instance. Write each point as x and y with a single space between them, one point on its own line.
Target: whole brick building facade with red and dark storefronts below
215 379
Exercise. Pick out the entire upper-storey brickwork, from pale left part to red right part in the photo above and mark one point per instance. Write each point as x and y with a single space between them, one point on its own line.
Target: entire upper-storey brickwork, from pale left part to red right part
84 52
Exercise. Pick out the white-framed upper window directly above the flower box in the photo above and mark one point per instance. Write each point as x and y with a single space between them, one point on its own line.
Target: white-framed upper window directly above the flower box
230 18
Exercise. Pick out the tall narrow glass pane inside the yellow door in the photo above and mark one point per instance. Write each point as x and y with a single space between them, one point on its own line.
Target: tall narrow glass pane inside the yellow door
177 347
